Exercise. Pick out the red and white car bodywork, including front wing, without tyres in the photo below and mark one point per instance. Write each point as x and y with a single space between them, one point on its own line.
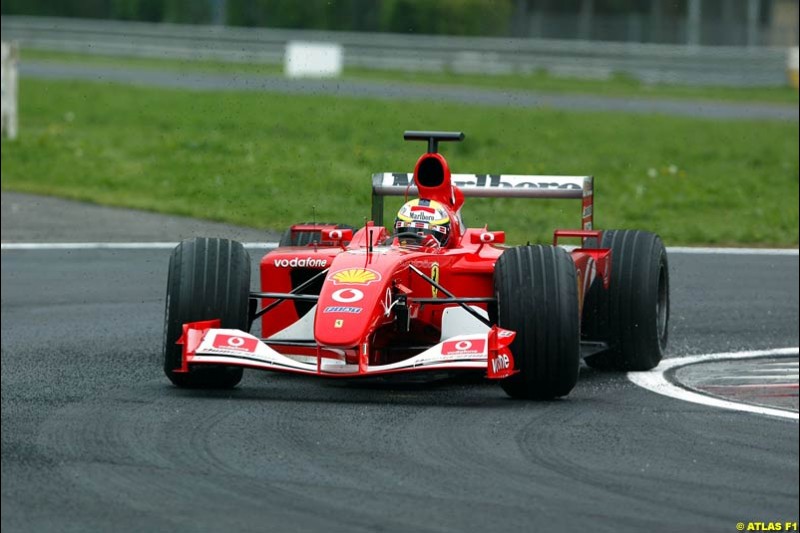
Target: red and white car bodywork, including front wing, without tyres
374 312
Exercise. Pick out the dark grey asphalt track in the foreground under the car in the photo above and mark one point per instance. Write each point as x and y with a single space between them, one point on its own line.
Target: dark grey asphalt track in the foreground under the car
95 439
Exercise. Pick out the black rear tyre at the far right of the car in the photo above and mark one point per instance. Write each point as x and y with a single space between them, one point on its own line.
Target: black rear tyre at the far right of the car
632 316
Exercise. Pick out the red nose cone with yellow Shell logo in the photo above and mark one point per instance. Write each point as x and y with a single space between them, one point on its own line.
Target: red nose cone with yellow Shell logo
351 303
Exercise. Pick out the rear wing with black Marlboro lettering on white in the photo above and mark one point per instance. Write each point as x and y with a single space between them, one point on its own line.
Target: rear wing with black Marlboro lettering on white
493 186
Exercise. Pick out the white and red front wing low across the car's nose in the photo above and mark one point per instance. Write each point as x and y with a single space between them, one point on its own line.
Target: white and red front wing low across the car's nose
206 343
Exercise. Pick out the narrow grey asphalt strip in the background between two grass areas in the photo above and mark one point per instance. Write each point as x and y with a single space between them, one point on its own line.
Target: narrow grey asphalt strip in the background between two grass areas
402 91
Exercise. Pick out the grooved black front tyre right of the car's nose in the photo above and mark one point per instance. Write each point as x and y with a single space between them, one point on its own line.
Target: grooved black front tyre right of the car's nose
537 296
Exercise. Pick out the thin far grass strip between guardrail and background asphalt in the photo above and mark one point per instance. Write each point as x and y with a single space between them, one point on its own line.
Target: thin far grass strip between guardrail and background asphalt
618 85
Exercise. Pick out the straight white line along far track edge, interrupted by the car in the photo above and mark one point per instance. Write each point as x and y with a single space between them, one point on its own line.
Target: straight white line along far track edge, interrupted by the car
265 245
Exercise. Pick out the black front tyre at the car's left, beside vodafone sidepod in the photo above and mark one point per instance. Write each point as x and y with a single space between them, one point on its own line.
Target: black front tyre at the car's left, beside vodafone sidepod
208 278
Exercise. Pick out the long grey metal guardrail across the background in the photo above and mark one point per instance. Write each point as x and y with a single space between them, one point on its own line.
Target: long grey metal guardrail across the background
650 63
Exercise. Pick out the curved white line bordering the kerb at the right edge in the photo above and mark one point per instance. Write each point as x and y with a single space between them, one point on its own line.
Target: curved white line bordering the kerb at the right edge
655 381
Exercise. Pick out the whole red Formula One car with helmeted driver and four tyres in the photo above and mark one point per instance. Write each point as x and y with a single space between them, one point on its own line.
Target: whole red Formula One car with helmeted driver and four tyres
427 294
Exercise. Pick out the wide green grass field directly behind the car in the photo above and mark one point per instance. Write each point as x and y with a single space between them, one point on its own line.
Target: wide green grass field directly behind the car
264 159
